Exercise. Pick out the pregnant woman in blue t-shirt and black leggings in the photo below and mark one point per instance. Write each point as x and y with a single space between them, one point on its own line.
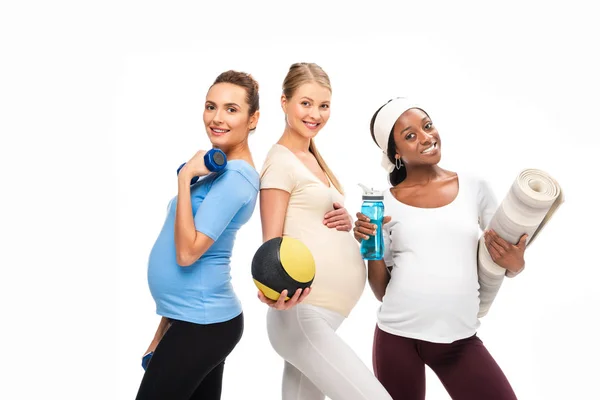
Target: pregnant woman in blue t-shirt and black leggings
189 265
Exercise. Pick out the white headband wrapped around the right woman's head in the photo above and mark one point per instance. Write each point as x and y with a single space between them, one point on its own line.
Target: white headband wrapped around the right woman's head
384 123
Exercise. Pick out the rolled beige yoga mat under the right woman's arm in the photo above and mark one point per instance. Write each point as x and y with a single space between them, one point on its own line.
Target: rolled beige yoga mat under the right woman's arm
530 203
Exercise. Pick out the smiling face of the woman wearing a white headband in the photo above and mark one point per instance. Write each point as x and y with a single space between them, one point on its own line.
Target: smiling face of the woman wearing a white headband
417 140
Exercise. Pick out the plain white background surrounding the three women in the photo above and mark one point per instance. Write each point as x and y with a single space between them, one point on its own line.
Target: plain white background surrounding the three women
99 104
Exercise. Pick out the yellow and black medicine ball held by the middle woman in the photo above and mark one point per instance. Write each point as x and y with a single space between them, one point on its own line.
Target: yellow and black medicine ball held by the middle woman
282 263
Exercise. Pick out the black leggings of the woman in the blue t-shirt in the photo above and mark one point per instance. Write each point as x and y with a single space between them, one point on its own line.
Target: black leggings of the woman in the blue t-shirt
189 360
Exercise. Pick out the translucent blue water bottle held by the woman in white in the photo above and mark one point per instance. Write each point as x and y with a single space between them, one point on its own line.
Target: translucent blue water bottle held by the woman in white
372 248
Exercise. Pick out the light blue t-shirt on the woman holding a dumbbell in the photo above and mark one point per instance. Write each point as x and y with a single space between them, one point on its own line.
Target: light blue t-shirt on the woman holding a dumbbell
202 293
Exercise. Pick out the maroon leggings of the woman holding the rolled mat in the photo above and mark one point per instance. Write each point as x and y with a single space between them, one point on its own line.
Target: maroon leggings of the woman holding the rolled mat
465 367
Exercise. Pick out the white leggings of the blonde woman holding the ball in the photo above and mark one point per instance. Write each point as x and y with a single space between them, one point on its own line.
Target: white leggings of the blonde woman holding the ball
317 361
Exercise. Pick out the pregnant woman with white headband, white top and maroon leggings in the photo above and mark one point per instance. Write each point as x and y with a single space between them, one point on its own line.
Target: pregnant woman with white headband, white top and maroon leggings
430 300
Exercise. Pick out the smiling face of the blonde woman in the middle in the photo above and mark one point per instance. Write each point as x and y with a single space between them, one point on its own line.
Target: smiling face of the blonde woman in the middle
307 110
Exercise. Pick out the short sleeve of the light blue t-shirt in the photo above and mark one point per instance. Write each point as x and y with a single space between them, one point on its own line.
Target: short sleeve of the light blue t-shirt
228 194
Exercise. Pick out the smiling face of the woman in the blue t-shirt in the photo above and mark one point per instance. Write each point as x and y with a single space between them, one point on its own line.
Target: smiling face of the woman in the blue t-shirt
226 115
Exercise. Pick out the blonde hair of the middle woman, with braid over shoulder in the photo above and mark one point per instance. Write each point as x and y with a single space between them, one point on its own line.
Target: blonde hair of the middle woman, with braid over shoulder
299 74
